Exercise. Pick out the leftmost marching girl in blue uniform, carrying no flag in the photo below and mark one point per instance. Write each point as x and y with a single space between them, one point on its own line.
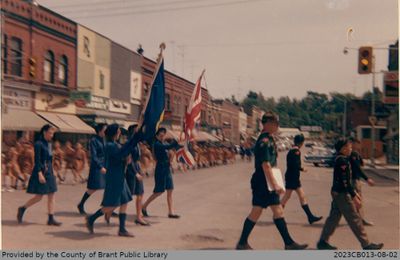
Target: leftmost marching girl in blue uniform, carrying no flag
42 181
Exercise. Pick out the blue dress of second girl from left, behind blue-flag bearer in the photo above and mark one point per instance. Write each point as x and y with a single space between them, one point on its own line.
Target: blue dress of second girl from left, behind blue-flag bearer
96 180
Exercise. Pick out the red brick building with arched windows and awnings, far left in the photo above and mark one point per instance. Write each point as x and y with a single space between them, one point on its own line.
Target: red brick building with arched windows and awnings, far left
38 69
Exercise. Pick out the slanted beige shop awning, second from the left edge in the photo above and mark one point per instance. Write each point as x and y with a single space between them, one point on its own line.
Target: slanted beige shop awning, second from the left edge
67 123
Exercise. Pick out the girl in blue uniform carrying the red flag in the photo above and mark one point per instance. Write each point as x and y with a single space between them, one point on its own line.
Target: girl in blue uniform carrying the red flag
162 176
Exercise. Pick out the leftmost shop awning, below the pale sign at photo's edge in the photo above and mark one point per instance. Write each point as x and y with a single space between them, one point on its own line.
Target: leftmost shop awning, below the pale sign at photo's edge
21 120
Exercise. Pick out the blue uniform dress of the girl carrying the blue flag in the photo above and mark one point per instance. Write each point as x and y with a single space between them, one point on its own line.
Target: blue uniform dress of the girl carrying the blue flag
117 192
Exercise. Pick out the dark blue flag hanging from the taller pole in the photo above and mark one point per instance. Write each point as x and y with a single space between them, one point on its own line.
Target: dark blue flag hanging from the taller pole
154 112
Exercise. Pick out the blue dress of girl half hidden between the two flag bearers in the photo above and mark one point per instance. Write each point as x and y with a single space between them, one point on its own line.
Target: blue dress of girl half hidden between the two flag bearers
136 187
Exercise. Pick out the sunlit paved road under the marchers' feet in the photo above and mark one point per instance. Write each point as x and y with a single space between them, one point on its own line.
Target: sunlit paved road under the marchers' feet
213 203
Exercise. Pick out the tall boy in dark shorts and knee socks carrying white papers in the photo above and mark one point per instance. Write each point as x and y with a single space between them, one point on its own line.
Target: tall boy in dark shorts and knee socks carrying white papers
265 153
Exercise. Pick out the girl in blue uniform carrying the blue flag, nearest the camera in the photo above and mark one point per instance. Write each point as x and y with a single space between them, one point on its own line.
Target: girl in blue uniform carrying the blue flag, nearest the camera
116 193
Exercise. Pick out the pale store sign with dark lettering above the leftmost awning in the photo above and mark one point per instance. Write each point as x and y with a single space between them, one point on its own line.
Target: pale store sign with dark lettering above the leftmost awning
18 99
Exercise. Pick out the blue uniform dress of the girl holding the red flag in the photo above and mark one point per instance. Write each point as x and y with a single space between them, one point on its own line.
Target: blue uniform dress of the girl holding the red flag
162 176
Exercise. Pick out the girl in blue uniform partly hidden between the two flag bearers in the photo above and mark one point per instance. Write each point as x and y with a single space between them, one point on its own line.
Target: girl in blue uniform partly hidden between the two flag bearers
134 178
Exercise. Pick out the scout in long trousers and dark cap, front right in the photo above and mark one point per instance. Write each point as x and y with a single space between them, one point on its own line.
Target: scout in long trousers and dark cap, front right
345 201
